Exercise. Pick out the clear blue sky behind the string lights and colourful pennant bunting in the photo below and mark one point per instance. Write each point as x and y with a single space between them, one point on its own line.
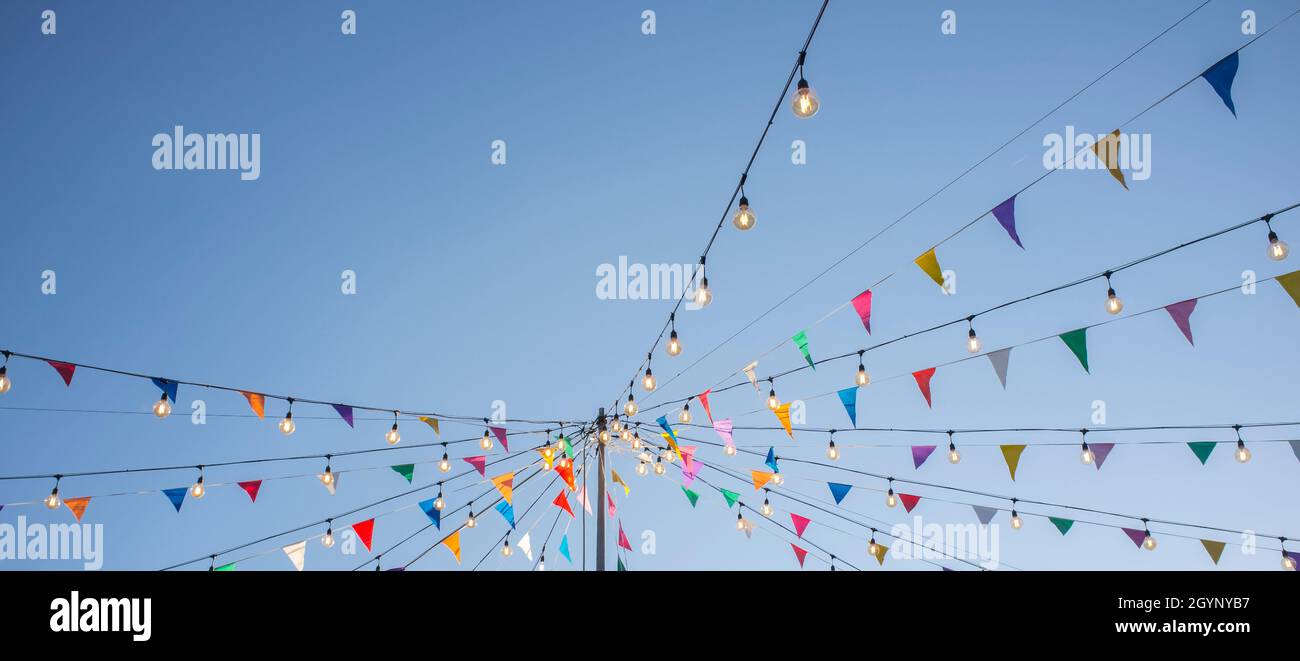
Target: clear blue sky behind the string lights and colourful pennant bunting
476 283
